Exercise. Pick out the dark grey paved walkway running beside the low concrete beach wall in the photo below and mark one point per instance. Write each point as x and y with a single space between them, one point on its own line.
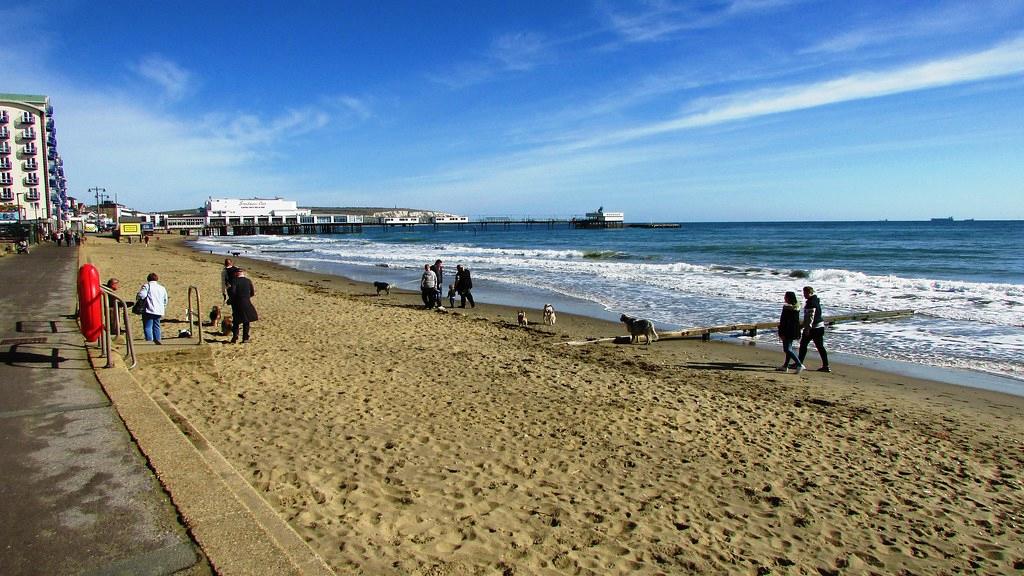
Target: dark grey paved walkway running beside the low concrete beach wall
76 497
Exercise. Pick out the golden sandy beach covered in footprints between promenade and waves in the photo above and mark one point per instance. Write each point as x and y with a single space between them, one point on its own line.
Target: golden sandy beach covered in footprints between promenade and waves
403 441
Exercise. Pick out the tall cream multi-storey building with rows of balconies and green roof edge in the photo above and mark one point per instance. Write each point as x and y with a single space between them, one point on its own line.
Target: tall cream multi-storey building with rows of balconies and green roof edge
33 188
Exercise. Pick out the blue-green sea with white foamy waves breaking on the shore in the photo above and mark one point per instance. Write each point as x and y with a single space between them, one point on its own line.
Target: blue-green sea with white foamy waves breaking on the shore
965 280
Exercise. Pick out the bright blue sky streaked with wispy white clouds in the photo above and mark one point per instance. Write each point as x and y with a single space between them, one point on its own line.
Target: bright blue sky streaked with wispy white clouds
669 111
